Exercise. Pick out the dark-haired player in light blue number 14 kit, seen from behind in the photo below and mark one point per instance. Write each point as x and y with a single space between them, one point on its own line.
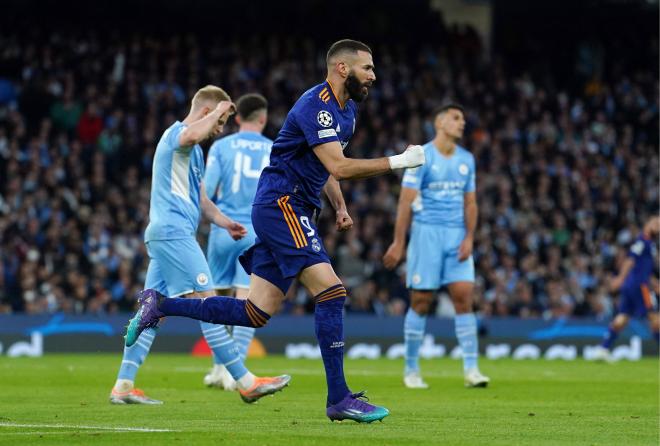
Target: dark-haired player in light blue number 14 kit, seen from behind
232 173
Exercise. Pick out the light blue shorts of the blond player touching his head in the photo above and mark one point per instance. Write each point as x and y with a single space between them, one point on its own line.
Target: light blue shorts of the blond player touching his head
177 267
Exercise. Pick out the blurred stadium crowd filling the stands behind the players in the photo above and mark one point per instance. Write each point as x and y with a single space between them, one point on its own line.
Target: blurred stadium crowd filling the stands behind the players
566 173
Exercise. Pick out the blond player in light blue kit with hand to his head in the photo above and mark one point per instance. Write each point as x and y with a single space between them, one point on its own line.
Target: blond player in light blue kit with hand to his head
177 265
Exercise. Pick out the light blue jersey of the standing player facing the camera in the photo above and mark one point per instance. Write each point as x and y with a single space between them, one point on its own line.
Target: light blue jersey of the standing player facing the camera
441 182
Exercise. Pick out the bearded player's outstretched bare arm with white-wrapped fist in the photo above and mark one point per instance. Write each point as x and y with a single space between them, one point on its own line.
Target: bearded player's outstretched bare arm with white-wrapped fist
342 168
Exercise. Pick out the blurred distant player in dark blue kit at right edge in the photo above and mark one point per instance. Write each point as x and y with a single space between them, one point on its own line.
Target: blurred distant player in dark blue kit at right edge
633 281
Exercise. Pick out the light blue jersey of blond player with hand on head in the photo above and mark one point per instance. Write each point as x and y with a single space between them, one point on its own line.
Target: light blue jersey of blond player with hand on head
177 172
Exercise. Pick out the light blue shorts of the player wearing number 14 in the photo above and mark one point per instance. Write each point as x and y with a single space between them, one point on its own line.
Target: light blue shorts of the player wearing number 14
223 252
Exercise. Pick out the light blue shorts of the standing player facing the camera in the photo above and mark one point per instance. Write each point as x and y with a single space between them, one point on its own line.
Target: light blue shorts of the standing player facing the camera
433 257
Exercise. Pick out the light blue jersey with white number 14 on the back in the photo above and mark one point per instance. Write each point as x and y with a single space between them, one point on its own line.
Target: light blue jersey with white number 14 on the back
234 165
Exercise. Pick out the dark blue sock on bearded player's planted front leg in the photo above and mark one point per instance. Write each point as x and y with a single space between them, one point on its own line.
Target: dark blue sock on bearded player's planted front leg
329 322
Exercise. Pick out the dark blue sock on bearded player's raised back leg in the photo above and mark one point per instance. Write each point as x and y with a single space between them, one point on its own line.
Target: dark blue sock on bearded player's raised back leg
216 310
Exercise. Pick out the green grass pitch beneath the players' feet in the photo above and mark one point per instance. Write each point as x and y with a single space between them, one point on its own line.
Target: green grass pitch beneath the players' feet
529 402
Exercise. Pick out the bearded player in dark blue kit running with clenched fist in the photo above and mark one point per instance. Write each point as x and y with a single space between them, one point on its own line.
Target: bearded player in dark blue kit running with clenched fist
307 156
